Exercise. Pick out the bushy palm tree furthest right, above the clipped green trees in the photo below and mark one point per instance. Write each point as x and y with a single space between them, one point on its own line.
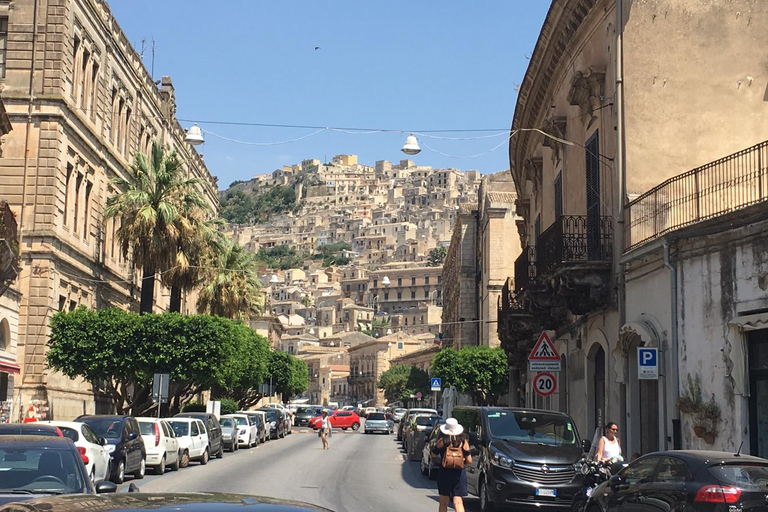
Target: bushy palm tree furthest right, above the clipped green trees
232 290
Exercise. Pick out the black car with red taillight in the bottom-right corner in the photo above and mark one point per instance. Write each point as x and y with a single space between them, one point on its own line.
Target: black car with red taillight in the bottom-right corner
694 480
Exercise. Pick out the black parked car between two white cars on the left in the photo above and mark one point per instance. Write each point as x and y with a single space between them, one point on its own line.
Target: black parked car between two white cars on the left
124 444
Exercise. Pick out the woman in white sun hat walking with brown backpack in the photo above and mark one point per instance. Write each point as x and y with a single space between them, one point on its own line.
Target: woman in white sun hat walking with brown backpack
453 447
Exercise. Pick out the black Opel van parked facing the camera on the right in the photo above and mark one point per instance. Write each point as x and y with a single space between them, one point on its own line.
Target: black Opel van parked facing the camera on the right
525 458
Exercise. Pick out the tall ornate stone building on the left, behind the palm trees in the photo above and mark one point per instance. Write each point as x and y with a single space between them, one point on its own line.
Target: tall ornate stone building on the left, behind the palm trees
82 104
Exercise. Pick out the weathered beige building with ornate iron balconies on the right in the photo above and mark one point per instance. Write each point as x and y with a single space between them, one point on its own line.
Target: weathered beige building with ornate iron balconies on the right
612 93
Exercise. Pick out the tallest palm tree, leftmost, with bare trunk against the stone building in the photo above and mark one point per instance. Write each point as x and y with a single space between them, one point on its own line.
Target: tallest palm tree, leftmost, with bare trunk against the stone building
150 207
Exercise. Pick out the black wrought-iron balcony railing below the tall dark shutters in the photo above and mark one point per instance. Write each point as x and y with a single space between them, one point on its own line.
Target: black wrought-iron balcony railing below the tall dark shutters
574 238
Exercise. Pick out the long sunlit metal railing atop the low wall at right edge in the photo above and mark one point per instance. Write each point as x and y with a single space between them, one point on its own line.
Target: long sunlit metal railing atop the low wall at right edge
717 188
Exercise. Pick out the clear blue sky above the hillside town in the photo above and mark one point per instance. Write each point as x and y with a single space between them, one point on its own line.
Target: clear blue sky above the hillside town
383 69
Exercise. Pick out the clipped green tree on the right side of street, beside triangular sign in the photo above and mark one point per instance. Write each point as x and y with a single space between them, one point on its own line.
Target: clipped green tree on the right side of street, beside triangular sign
481 372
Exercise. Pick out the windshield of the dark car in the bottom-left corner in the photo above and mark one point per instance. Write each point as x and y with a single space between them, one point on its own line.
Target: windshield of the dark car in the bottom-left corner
41 470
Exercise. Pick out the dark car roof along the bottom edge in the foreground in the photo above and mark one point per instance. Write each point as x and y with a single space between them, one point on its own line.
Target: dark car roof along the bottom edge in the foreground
170 502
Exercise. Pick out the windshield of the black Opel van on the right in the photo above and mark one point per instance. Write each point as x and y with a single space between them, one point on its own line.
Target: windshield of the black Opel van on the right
535 428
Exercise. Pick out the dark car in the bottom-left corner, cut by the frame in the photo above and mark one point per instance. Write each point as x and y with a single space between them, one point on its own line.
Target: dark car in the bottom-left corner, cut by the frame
41 465
